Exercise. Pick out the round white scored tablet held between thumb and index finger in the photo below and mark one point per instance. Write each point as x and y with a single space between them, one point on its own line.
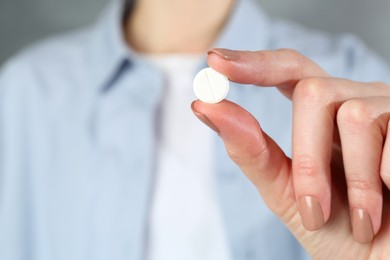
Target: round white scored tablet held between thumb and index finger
210 86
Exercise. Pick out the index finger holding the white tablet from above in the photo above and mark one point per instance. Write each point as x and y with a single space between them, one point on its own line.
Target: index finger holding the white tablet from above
282 68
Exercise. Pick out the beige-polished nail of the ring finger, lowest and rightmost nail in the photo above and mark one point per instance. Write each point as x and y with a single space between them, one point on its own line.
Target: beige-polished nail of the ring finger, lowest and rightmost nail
362 226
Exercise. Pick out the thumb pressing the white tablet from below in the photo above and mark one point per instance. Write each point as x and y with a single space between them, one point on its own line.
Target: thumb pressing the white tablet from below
257 155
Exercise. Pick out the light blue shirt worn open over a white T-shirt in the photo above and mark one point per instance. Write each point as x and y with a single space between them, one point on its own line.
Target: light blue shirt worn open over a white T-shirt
77 140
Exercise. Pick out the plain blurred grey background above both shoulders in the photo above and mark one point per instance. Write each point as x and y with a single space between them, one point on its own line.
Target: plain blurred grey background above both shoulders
23 22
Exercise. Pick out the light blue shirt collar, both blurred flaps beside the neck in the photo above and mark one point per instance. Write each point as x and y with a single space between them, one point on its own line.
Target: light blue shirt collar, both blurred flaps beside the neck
111 56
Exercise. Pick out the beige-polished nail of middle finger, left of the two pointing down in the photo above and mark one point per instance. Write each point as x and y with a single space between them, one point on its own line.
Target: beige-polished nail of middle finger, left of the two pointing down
311 213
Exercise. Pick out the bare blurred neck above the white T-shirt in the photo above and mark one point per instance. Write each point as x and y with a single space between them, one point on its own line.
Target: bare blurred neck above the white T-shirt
176 26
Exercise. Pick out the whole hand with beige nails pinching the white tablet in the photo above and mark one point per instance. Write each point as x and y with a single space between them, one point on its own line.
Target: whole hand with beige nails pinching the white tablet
341 156
